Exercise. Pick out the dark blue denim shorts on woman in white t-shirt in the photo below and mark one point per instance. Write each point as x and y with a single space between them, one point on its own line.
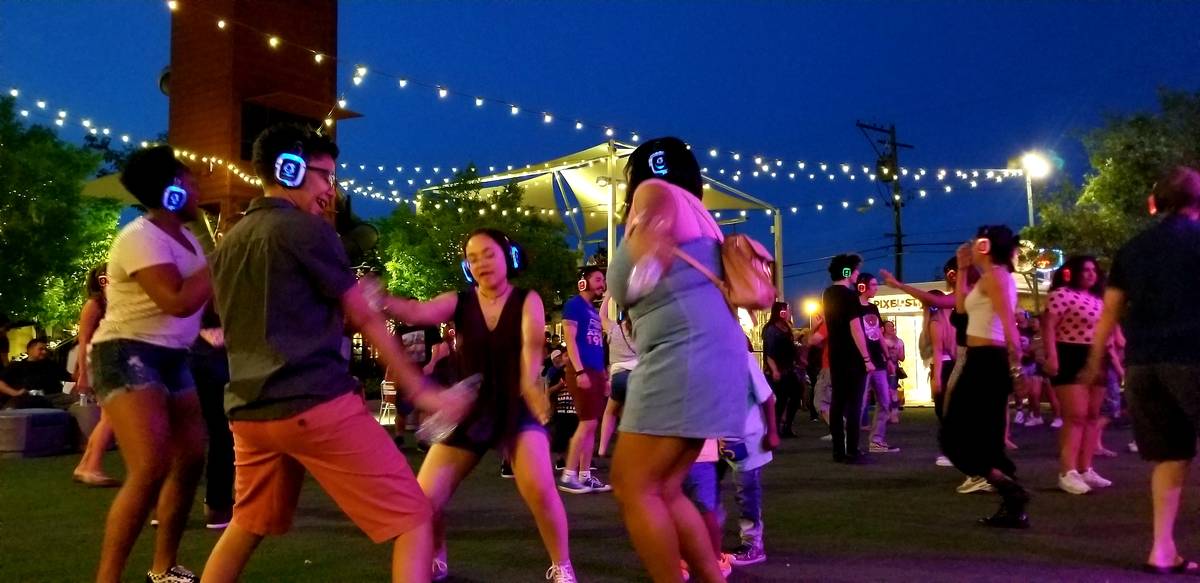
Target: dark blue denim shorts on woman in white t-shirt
125 365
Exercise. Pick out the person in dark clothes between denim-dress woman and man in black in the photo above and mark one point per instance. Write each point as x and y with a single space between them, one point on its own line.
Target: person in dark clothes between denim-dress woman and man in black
779 357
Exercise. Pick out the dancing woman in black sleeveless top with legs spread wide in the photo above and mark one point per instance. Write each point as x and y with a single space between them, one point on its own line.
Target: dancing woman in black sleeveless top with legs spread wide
500 335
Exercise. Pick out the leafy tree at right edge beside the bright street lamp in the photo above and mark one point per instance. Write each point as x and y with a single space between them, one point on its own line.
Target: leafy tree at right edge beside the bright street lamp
1129 154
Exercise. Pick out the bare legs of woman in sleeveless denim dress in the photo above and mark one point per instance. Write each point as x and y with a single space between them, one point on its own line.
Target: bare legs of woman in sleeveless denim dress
662 521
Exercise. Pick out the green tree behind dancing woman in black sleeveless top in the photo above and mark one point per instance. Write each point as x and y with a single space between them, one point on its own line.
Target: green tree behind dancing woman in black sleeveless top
422 250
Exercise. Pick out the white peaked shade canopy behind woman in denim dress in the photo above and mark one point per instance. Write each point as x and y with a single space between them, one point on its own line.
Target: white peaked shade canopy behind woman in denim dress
586 185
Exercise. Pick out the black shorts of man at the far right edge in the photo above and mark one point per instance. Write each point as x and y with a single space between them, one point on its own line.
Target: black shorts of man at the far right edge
1165 404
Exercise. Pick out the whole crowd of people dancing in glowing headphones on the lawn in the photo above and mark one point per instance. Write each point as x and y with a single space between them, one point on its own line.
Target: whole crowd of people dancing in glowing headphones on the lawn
248 345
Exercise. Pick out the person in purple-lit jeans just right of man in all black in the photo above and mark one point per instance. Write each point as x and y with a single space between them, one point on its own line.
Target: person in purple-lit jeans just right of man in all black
878 378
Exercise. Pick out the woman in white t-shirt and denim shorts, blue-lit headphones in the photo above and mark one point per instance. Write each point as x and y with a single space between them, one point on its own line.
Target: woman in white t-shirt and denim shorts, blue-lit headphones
158 285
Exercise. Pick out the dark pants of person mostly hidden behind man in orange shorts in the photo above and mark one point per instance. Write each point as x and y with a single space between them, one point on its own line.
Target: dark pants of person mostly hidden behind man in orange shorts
212 374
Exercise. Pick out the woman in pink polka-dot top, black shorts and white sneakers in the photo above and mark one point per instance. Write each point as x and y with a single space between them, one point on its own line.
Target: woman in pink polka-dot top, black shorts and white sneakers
1073 309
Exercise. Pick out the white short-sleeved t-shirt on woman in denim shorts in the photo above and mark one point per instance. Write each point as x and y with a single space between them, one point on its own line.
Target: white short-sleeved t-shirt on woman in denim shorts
131 314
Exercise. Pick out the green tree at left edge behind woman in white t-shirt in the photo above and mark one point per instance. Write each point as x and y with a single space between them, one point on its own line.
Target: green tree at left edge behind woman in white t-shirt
50 236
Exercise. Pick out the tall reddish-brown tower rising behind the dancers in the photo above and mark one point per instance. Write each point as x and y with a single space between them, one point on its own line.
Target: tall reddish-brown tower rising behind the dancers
229 83
